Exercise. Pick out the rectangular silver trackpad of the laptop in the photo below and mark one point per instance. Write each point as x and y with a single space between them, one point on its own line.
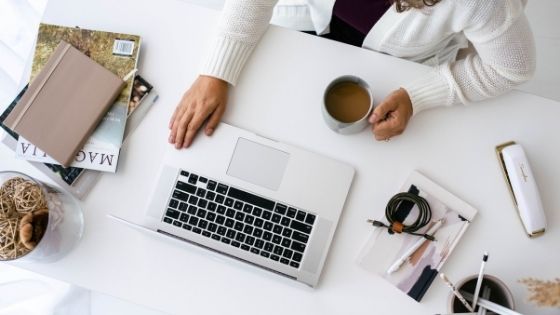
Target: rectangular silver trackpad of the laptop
258 164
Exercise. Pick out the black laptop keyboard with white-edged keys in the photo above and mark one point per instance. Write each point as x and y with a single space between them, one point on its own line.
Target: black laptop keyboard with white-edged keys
240 219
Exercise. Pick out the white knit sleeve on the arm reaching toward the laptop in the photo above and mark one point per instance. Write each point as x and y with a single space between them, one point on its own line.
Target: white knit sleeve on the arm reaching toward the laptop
241 25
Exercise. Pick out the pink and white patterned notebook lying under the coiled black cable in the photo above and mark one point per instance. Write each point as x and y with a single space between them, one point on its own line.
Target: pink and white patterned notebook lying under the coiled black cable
416 275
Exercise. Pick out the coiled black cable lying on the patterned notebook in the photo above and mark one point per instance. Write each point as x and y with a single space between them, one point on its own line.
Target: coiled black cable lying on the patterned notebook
424 215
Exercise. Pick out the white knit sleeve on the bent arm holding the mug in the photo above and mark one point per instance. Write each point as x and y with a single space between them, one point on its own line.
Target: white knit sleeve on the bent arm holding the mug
503 57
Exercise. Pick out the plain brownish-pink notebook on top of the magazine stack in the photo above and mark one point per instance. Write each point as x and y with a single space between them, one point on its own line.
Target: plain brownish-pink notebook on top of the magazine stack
64 103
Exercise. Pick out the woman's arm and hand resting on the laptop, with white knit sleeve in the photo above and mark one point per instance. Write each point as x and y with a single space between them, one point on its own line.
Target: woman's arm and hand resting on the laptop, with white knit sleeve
242 24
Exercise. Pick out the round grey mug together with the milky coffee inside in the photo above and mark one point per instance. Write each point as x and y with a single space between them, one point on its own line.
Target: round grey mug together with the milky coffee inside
347 104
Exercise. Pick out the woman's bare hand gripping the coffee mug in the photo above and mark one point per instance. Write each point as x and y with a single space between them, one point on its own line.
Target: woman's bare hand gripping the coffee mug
391 116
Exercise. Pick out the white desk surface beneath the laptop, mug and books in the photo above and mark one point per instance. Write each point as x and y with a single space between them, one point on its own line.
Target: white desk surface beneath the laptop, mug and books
279 97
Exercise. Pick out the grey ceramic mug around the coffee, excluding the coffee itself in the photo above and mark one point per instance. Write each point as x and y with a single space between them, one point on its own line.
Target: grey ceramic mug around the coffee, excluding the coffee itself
347 127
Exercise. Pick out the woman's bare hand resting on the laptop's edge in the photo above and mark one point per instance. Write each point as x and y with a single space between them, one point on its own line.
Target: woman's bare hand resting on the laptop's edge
205 100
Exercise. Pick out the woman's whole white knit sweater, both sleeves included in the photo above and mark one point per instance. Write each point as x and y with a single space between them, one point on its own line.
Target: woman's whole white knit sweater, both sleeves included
503 54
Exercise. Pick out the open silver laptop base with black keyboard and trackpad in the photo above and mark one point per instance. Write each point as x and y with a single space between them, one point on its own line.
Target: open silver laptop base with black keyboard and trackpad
264 202
